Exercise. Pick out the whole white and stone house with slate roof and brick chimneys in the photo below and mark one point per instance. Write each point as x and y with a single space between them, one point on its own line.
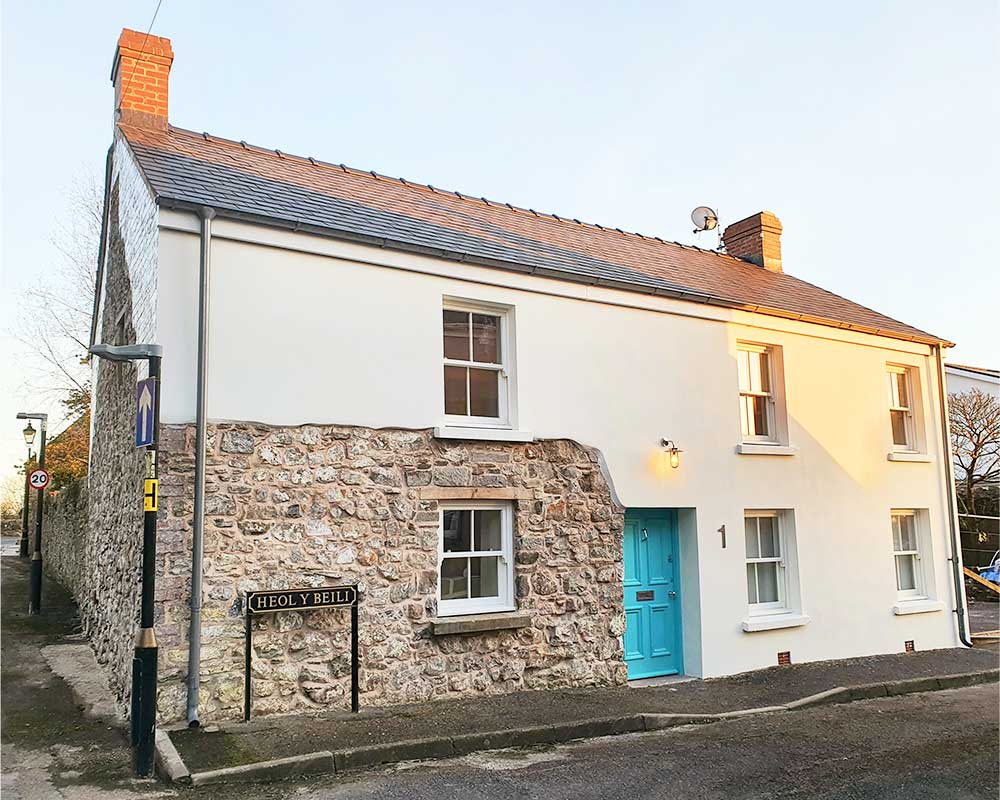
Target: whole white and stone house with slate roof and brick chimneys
549 453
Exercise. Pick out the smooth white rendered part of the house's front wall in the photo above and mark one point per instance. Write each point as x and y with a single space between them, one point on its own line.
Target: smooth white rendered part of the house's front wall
297 337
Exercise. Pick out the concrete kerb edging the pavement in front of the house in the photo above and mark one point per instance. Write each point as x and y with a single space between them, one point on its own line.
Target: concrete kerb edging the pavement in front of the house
453 746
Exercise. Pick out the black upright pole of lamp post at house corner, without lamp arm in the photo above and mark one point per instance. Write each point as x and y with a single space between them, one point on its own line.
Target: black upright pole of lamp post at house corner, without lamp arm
144 662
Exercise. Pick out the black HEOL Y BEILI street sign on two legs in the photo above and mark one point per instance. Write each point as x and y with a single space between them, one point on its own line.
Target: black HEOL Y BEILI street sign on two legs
307 599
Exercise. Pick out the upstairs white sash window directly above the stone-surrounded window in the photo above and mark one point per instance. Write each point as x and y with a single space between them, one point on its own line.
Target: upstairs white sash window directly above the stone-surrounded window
475 365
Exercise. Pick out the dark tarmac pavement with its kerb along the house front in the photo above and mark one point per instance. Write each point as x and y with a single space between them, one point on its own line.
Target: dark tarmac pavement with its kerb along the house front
336 741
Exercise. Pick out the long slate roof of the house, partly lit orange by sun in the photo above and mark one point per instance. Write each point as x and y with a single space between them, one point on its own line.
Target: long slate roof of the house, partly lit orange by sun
186 169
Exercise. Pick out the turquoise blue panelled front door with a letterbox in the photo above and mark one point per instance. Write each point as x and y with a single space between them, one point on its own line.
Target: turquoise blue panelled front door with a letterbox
652 594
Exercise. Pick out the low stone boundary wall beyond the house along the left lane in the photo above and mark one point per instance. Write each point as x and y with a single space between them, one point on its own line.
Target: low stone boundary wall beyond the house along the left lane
64 535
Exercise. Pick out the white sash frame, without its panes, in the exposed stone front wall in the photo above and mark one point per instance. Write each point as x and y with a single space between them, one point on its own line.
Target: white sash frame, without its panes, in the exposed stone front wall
504 601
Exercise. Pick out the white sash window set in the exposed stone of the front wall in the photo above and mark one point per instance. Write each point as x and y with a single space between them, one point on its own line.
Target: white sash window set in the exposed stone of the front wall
475 562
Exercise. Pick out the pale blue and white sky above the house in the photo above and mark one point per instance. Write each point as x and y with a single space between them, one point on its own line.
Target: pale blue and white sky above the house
870 129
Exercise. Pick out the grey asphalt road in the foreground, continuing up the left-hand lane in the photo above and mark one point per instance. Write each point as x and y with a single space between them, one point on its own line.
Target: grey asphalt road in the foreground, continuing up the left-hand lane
927 746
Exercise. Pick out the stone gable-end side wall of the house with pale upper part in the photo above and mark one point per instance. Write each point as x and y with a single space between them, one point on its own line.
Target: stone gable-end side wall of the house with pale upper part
107 557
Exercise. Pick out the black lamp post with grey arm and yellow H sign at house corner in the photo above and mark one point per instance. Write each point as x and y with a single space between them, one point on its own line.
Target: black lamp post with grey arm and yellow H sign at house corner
145 658
